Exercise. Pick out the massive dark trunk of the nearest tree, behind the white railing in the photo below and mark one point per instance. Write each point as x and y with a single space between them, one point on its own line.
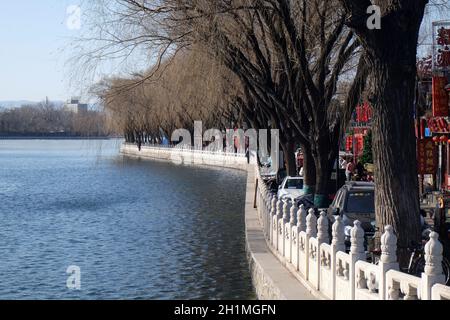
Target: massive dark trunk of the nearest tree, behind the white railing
392 53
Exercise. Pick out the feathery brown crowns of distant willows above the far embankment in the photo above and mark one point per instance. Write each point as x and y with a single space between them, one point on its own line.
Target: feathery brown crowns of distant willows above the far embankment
187 88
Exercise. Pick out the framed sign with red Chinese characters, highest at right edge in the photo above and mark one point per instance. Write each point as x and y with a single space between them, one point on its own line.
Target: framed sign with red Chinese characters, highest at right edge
441 47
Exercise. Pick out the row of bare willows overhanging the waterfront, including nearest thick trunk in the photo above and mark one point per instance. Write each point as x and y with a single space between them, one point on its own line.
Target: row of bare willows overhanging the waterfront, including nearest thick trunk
300 66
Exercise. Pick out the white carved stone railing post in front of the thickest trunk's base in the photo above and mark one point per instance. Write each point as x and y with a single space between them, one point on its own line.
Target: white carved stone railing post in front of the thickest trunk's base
388 260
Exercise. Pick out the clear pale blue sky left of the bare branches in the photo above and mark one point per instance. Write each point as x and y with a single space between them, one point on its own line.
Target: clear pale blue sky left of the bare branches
32 33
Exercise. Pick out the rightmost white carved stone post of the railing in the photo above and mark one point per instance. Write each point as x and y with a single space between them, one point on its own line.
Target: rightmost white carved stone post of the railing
433 266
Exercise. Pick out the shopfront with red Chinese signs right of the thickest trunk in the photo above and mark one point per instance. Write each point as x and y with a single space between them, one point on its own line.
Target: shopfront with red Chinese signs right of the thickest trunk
433 125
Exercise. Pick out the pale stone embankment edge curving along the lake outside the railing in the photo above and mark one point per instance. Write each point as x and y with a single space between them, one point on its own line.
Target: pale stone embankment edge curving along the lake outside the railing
272 280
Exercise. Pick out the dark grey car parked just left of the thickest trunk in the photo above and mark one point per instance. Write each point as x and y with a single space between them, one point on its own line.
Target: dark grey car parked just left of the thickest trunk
355 201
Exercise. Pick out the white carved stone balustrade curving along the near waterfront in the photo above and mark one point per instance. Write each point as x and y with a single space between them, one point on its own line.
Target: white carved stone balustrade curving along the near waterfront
301 241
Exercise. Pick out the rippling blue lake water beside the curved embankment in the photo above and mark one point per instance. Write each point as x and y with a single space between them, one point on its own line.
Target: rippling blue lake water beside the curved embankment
136 229
